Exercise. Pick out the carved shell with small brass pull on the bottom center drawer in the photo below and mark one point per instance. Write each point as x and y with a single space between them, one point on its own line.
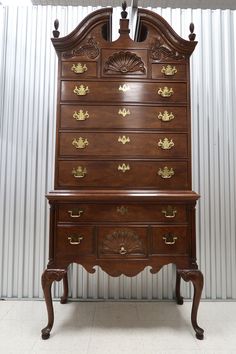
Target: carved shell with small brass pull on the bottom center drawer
122 242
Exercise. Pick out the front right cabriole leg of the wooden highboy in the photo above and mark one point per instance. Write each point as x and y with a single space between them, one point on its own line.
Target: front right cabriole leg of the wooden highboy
196 277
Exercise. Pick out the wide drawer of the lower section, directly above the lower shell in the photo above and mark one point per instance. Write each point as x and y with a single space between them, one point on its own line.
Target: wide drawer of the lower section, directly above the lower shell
121 212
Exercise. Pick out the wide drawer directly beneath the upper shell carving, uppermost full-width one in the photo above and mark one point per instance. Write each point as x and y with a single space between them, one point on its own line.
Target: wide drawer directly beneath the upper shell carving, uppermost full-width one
122 91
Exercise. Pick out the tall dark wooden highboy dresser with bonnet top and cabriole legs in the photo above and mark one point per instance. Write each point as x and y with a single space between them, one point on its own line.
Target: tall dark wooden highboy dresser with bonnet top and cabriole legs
122 198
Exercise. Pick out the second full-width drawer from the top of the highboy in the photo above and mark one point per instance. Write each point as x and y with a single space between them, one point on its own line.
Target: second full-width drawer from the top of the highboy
123 116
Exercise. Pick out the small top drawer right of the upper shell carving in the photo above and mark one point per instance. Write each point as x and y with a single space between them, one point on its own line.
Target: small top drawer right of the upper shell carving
169 71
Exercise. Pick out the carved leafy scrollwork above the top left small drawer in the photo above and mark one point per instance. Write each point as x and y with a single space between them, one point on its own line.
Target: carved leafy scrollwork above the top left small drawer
89 49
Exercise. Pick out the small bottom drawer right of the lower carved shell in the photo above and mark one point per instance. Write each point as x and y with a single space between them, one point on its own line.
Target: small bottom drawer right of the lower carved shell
170 240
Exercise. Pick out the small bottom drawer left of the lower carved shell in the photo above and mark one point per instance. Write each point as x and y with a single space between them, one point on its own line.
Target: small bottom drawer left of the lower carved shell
74 240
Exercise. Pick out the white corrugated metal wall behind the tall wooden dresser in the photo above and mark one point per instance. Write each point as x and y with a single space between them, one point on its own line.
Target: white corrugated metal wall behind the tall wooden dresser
27 127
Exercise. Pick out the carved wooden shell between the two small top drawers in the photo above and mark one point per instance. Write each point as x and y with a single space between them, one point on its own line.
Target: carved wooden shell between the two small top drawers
124 62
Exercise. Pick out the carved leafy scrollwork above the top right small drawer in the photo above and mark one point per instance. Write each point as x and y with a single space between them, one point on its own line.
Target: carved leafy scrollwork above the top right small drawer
160 51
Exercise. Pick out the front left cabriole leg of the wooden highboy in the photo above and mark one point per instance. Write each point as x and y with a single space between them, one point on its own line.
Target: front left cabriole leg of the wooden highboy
48 277
